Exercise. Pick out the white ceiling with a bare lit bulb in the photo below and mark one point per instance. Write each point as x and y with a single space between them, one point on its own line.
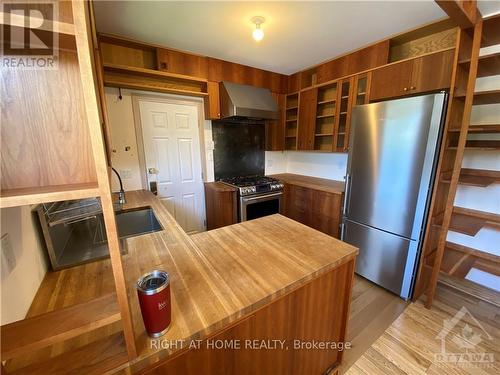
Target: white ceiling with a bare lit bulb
297 34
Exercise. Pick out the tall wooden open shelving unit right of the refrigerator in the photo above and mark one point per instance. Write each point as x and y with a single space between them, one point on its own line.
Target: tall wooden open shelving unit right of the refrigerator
445 261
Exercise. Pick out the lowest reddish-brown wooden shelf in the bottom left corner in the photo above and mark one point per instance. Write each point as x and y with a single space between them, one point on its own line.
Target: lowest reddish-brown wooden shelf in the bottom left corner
94 358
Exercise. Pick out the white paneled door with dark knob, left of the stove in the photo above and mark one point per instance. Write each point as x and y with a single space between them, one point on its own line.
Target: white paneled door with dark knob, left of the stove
173 162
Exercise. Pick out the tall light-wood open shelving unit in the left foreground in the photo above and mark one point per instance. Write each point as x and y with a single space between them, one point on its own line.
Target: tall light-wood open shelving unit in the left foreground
52 171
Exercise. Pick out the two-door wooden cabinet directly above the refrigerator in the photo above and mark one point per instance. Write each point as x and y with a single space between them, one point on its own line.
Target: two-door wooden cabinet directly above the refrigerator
423 74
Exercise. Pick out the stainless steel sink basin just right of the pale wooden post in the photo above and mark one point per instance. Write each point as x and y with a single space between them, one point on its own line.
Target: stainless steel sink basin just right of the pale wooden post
136 222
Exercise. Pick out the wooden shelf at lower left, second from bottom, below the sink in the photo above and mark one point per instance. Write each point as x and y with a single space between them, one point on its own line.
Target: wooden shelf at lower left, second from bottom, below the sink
27 335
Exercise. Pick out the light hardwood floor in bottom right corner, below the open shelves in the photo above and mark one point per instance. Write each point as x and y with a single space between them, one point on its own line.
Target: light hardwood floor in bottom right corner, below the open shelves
411 345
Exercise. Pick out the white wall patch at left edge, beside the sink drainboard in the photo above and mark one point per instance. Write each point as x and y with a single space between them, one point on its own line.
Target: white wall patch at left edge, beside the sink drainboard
19 287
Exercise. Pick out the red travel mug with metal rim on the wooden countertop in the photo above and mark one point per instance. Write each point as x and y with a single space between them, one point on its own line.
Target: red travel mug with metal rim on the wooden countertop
153 290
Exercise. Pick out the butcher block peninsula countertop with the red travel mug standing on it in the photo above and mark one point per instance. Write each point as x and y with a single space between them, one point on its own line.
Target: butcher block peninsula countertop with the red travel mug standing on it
222 275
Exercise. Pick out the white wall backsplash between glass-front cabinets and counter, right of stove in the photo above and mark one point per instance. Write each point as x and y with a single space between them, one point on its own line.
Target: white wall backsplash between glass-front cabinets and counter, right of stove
323 165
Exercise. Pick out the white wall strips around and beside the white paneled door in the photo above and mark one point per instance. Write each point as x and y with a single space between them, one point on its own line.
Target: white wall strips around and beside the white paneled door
121 119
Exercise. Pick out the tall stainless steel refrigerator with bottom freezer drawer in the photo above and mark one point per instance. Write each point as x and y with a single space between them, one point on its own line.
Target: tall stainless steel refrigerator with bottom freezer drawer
393 153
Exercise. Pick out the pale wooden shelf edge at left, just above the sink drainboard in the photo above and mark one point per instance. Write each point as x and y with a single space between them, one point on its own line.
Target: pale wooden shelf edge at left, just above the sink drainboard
22 197
